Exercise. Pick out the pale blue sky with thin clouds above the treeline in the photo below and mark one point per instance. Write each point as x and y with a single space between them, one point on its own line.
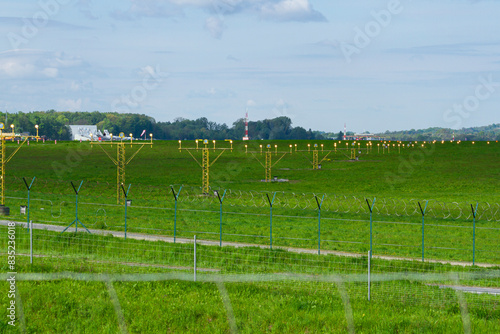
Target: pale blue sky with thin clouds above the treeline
373 65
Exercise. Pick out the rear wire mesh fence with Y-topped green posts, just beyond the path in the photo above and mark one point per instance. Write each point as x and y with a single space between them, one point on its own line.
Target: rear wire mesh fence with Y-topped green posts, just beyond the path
449 231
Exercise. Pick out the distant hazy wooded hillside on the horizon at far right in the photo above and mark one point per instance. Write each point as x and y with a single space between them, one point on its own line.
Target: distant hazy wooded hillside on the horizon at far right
490 132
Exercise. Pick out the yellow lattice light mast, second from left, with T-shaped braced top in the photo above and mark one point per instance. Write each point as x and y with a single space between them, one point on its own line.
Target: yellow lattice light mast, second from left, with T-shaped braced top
121 161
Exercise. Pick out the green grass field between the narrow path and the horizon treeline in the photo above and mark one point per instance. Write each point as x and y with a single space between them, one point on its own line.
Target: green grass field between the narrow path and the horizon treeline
451 176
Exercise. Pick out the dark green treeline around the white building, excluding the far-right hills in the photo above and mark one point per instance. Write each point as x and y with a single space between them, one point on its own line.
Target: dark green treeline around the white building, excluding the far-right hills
54 125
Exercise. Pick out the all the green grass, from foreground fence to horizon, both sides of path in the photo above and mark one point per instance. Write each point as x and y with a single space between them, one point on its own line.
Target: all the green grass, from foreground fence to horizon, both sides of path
446 173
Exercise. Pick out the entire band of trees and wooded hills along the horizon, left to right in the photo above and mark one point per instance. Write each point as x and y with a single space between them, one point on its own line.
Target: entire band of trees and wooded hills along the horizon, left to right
53 125
